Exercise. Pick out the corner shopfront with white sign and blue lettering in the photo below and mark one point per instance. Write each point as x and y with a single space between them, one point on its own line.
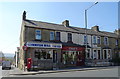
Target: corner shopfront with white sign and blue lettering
43 55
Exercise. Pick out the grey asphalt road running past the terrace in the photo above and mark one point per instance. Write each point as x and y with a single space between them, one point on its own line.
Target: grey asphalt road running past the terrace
108 72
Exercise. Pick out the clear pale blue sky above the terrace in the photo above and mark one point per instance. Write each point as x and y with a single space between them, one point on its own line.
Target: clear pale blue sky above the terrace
104 14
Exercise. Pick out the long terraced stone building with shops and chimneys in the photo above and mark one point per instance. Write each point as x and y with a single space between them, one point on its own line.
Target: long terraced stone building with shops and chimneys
51 45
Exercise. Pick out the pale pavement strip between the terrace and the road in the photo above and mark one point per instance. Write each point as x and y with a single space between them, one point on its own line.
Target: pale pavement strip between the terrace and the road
58 70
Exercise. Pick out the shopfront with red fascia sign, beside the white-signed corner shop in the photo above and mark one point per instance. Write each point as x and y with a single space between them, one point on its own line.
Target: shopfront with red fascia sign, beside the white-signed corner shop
73 56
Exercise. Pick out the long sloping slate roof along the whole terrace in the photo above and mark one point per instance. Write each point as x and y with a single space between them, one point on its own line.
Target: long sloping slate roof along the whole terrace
60 27
